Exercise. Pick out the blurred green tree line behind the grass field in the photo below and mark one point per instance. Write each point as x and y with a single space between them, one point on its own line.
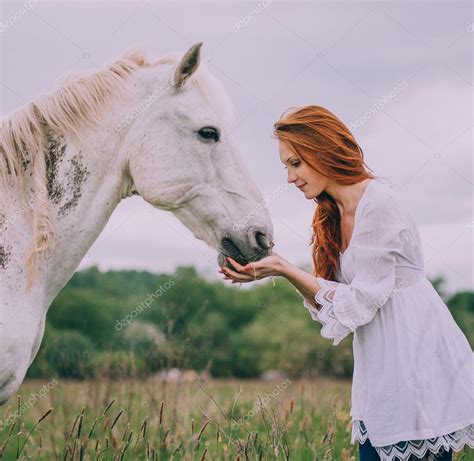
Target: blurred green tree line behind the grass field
136 323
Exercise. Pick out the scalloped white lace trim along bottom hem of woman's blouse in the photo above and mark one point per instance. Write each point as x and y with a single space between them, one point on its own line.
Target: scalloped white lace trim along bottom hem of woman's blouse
403 450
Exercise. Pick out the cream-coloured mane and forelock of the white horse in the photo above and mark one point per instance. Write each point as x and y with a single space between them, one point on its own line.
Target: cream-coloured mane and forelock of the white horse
80 100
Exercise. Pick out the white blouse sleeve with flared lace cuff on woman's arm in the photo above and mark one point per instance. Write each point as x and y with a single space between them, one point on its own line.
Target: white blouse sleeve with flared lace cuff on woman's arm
375 243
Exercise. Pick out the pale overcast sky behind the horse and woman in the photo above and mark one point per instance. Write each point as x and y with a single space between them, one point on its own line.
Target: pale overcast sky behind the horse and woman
406 65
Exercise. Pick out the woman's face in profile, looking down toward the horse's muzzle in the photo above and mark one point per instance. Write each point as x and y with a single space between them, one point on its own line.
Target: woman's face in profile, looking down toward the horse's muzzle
308 181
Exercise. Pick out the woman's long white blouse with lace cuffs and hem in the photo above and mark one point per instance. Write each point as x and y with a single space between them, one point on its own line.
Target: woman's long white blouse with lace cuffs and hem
413 379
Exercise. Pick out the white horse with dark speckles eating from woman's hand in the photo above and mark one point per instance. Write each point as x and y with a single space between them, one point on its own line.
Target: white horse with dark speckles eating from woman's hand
157 129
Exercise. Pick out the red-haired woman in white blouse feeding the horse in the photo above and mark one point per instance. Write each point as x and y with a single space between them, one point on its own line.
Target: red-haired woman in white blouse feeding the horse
412 390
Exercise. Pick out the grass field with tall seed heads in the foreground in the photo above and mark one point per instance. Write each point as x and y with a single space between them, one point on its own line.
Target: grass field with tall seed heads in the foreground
155 420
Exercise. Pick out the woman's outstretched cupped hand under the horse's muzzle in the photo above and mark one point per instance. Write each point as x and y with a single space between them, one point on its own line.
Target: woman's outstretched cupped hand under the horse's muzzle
266 267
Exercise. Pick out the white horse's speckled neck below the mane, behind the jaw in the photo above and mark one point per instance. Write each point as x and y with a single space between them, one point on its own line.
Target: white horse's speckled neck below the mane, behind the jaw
86 180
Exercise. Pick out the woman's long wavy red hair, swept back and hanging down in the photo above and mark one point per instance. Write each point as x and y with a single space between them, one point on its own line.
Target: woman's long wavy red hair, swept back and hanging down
326 145
